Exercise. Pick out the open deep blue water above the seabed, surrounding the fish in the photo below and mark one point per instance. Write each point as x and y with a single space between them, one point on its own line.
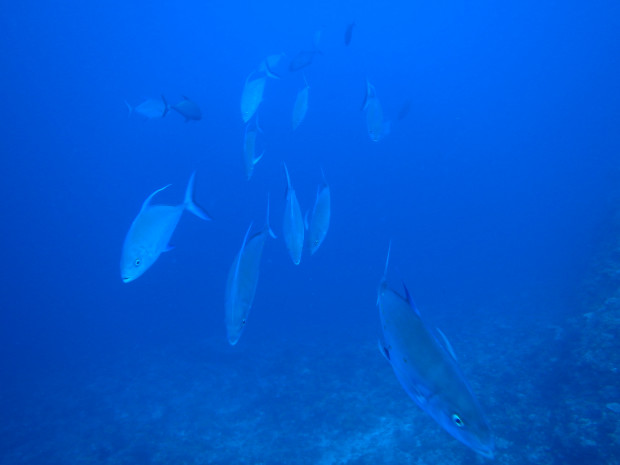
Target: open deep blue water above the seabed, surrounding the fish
494 189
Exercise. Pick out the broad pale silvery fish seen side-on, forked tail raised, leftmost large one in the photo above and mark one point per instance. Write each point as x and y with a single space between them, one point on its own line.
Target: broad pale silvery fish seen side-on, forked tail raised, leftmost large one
150 232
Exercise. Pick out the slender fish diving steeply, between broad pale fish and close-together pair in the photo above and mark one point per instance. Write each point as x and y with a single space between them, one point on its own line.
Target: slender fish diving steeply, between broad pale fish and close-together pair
243 279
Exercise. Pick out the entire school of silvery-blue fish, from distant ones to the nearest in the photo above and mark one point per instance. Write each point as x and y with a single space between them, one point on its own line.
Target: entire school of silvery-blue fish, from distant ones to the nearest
422 360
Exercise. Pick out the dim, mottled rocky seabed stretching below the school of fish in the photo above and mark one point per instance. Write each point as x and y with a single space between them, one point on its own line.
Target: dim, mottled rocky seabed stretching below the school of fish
552 395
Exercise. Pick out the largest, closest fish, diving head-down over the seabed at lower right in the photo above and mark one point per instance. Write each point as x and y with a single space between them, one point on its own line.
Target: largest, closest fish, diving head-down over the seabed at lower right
427 371
